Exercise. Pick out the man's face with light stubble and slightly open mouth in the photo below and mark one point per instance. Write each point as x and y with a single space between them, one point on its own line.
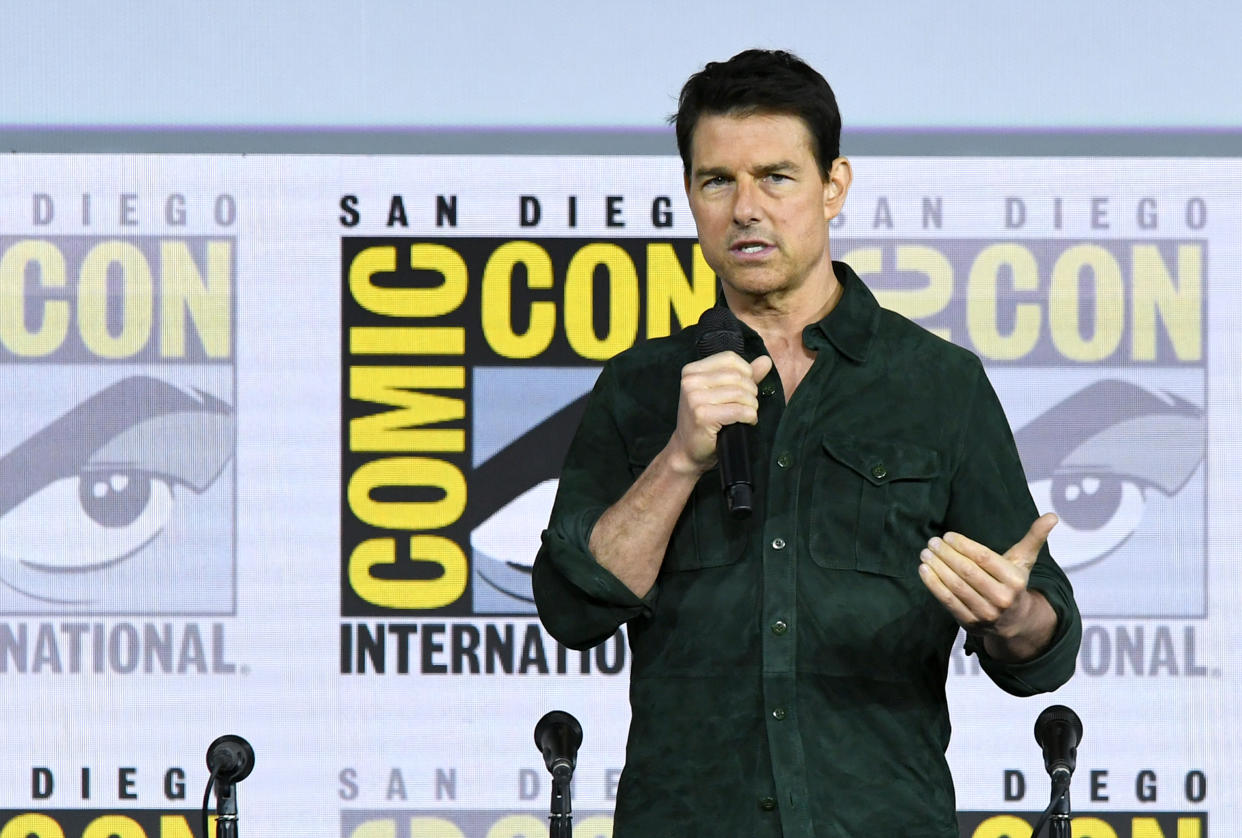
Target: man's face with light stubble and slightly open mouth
761 203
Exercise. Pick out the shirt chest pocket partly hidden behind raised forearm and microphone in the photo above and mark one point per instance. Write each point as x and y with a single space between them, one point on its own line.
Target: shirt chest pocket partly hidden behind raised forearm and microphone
705 536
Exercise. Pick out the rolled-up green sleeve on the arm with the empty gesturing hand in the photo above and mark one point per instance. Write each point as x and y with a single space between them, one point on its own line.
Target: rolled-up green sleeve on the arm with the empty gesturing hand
992 503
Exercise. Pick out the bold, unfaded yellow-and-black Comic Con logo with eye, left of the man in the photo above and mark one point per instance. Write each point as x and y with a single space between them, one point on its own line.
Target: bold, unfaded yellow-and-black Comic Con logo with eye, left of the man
464 366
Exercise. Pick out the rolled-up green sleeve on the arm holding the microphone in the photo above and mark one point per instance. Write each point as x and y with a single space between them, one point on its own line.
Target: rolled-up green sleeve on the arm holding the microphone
579 601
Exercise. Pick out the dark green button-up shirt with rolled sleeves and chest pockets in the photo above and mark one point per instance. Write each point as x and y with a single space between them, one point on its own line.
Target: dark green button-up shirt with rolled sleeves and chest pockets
788 671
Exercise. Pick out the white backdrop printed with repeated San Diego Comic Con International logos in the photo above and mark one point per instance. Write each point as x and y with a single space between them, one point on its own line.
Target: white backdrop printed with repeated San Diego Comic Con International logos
280 435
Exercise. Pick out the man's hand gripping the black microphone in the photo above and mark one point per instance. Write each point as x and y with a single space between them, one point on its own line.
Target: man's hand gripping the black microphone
718 390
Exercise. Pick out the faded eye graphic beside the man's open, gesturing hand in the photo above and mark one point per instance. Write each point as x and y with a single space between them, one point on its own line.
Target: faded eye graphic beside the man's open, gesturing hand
1122 467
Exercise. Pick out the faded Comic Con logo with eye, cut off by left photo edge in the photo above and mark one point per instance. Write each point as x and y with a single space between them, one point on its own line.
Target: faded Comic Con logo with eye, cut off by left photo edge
117 448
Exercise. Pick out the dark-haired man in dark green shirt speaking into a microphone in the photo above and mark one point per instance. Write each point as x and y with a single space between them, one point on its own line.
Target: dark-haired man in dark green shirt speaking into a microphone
789 666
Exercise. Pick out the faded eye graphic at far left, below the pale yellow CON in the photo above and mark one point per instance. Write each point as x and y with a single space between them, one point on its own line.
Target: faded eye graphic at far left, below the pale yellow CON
120 507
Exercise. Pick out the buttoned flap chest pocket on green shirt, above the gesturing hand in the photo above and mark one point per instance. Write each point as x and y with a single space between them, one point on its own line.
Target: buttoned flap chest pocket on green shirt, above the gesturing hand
875 503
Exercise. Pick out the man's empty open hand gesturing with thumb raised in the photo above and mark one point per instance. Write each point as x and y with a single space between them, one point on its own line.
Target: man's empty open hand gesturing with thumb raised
987 592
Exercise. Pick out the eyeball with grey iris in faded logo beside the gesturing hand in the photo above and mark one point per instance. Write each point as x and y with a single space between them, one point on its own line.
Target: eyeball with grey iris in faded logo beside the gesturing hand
1099 513
